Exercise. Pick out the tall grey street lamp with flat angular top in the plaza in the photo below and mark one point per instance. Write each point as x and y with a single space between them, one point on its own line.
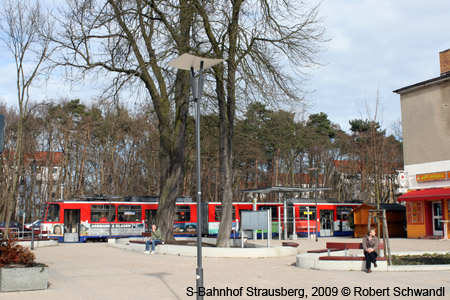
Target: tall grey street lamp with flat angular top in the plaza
194 63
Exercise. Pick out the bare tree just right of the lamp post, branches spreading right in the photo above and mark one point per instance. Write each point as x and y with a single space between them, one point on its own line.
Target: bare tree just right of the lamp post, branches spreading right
257 39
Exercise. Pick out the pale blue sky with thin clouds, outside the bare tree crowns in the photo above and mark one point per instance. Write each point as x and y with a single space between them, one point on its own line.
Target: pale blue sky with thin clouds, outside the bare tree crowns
375 47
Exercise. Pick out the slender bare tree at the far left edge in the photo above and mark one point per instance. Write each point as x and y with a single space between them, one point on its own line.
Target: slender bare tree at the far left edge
23 26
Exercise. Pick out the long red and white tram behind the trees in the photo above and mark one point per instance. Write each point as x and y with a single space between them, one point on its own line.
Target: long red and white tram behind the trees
101 217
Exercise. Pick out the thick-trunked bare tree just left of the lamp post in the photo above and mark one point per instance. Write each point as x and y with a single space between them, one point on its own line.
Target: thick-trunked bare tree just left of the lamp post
131 43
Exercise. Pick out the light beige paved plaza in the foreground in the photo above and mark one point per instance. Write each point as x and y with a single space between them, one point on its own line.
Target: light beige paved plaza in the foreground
92 271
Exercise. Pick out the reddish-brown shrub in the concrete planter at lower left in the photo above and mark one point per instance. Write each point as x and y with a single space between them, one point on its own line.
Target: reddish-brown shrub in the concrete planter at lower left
13 255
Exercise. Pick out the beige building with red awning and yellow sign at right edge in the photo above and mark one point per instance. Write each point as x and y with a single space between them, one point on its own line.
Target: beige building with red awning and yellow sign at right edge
425 181
